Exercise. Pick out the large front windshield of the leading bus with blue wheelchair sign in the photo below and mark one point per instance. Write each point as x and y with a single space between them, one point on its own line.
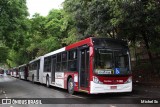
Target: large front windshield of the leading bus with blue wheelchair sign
111 62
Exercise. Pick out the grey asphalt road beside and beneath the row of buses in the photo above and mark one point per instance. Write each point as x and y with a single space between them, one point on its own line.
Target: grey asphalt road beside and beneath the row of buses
14 88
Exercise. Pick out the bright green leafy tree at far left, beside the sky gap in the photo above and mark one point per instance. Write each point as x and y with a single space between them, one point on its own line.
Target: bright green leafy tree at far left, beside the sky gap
13 21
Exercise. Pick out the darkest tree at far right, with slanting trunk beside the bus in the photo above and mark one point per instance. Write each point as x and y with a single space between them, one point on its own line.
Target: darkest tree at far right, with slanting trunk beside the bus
139 22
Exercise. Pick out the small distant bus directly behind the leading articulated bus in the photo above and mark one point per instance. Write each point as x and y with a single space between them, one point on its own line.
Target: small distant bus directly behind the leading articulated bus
23 71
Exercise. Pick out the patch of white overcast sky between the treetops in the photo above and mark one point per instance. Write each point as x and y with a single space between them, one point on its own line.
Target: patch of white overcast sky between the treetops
43 6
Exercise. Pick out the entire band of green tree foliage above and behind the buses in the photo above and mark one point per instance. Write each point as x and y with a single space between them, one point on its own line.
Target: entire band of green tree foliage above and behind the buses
136 21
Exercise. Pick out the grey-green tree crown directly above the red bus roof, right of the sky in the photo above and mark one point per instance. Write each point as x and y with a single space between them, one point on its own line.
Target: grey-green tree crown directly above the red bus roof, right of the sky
91 17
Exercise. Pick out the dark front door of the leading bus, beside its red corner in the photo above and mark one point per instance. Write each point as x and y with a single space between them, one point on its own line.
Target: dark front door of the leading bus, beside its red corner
84 68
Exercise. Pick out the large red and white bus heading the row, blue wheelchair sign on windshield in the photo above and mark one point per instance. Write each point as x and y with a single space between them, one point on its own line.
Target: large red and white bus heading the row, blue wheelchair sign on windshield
93 65
